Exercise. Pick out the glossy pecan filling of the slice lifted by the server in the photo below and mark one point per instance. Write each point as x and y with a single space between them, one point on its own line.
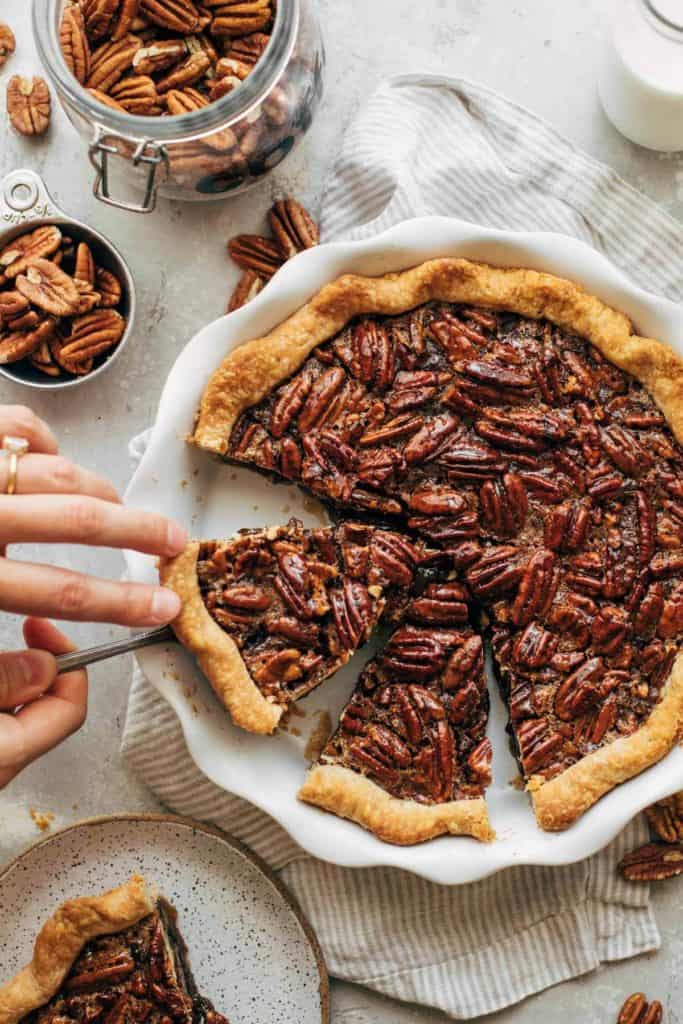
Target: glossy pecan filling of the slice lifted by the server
300 603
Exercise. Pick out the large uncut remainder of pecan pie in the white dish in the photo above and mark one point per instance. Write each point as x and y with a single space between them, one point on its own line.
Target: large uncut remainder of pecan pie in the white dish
523 426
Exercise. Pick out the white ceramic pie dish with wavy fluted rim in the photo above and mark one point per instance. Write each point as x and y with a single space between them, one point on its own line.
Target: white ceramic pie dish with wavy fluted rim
215 500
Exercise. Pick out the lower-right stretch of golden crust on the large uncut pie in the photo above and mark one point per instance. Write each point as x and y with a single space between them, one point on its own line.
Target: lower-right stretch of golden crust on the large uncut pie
563 800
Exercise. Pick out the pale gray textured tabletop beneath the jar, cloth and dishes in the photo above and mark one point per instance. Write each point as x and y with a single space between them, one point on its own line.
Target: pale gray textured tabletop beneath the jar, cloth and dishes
543 55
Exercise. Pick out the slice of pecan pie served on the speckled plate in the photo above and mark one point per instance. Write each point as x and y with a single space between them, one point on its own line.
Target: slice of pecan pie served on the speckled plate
114 959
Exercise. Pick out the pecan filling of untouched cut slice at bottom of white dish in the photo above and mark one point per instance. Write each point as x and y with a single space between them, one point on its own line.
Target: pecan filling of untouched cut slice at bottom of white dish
416 723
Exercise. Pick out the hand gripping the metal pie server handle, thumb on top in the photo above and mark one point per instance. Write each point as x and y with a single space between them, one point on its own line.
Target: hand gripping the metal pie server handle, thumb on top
51 707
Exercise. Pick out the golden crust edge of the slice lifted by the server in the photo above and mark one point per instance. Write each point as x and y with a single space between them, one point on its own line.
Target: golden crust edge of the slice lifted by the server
217 653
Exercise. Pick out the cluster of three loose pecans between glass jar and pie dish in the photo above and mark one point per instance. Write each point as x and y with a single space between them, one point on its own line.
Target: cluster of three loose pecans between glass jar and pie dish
294 231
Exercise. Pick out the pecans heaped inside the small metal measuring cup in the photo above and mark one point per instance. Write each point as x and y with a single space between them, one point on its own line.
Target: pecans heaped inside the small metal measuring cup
58 308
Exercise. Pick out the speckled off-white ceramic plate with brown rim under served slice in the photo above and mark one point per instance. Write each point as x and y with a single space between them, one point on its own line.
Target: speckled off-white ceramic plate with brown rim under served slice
252 951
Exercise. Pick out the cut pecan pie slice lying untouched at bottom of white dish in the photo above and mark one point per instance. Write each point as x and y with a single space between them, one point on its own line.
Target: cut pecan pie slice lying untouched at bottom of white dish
410 759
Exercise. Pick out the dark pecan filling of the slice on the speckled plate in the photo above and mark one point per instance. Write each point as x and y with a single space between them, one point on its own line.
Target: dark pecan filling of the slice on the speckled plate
139 976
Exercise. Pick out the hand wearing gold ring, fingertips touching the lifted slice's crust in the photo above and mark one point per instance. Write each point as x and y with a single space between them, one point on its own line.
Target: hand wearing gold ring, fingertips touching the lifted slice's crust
58 502
